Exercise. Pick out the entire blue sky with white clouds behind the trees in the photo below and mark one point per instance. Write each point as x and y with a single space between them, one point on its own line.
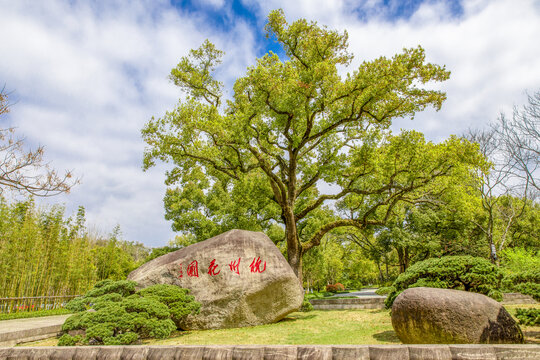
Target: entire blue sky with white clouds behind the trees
85 76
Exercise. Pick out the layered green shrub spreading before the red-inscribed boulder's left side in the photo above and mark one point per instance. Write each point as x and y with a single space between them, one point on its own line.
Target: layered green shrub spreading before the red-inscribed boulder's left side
121 316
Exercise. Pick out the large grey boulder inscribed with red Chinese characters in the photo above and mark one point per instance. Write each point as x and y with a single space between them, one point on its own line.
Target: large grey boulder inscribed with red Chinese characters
239 277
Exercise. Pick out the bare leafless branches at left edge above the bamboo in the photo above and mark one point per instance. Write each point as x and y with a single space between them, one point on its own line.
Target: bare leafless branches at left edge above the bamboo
25 171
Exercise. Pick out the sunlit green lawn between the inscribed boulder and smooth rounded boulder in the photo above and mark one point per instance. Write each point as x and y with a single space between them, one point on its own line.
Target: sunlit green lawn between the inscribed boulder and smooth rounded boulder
315 327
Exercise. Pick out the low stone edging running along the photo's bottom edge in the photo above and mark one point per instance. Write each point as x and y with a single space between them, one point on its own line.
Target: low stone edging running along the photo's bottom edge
278 352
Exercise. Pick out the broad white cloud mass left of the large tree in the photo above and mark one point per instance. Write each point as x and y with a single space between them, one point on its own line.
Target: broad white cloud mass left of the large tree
86 80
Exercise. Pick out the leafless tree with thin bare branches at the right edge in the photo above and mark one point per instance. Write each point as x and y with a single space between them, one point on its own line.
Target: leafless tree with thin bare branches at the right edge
513 149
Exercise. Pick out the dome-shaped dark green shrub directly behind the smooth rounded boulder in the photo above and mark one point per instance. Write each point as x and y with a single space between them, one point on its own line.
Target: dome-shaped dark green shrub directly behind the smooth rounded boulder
450 272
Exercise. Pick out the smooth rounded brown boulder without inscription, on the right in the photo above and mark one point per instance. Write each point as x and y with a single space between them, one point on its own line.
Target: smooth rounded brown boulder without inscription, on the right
442 316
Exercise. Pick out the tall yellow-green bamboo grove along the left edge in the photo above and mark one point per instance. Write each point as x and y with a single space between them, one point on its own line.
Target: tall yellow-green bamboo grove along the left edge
43 253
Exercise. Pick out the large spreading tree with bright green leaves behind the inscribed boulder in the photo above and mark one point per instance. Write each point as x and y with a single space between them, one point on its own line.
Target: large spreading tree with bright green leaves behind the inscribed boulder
294 128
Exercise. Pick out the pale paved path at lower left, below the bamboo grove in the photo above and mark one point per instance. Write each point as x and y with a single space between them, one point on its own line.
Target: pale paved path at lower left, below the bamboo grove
22 330
